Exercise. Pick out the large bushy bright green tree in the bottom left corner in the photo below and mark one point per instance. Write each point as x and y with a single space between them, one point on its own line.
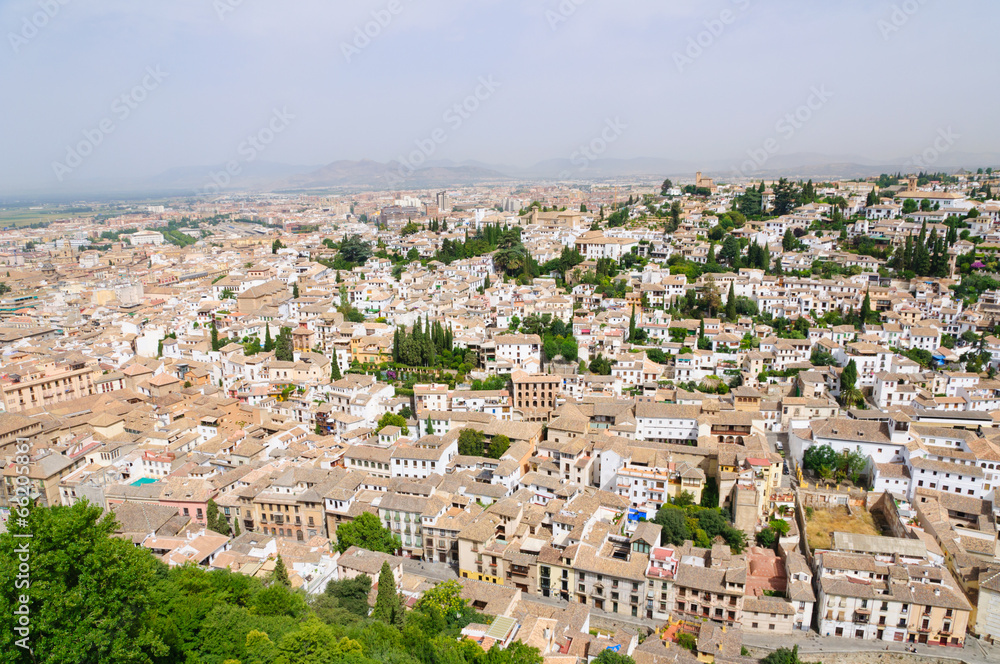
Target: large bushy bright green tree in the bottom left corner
90 594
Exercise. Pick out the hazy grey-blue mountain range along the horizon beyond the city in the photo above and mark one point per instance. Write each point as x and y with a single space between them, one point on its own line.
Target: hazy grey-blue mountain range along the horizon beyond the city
366 174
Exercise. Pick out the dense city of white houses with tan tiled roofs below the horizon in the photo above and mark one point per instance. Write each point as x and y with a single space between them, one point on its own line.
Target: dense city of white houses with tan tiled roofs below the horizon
663 422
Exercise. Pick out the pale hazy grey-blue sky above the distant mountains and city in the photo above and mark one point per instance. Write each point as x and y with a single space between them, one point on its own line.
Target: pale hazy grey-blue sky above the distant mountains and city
890 77
